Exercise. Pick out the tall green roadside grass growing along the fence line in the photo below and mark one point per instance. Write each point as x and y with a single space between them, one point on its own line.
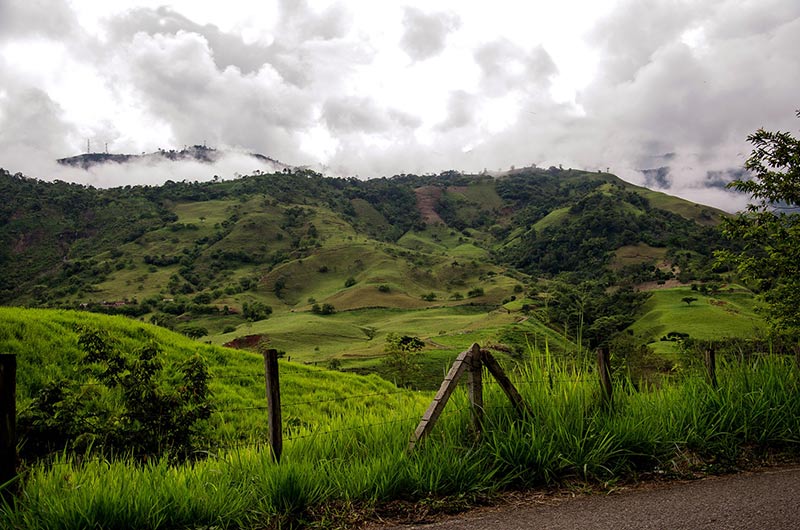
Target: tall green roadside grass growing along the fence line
360 457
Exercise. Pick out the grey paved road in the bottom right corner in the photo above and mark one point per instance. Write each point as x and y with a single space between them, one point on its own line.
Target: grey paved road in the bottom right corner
759 500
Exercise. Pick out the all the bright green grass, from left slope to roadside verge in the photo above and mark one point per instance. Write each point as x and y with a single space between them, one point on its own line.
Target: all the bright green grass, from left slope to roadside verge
345 450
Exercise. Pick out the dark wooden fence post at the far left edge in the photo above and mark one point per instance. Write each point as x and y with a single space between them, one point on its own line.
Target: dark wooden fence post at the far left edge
8 421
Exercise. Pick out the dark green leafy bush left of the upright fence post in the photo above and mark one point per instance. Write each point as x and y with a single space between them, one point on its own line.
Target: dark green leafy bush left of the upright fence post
130 410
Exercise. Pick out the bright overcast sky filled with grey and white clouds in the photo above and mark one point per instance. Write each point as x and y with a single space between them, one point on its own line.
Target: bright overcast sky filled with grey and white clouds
371 88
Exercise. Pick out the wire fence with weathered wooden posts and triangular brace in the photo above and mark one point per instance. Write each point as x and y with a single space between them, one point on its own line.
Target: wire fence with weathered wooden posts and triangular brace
472 361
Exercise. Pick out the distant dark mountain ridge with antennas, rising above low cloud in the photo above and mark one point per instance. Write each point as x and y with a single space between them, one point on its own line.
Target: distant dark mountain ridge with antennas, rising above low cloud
197 153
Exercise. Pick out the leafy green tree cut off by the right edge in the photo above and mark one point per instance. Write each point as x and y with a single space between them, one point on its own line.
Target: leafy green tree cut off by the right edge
769 230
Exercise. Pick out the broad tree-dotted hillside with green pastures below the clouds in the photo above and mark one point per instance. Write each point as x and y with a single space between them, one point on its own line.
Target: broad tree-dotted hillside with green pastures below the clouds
325 268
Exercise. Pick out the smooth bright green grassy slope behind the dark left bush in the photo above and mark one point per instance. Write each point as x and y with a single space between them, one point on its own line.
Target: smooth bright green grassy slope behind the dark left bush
46 344
